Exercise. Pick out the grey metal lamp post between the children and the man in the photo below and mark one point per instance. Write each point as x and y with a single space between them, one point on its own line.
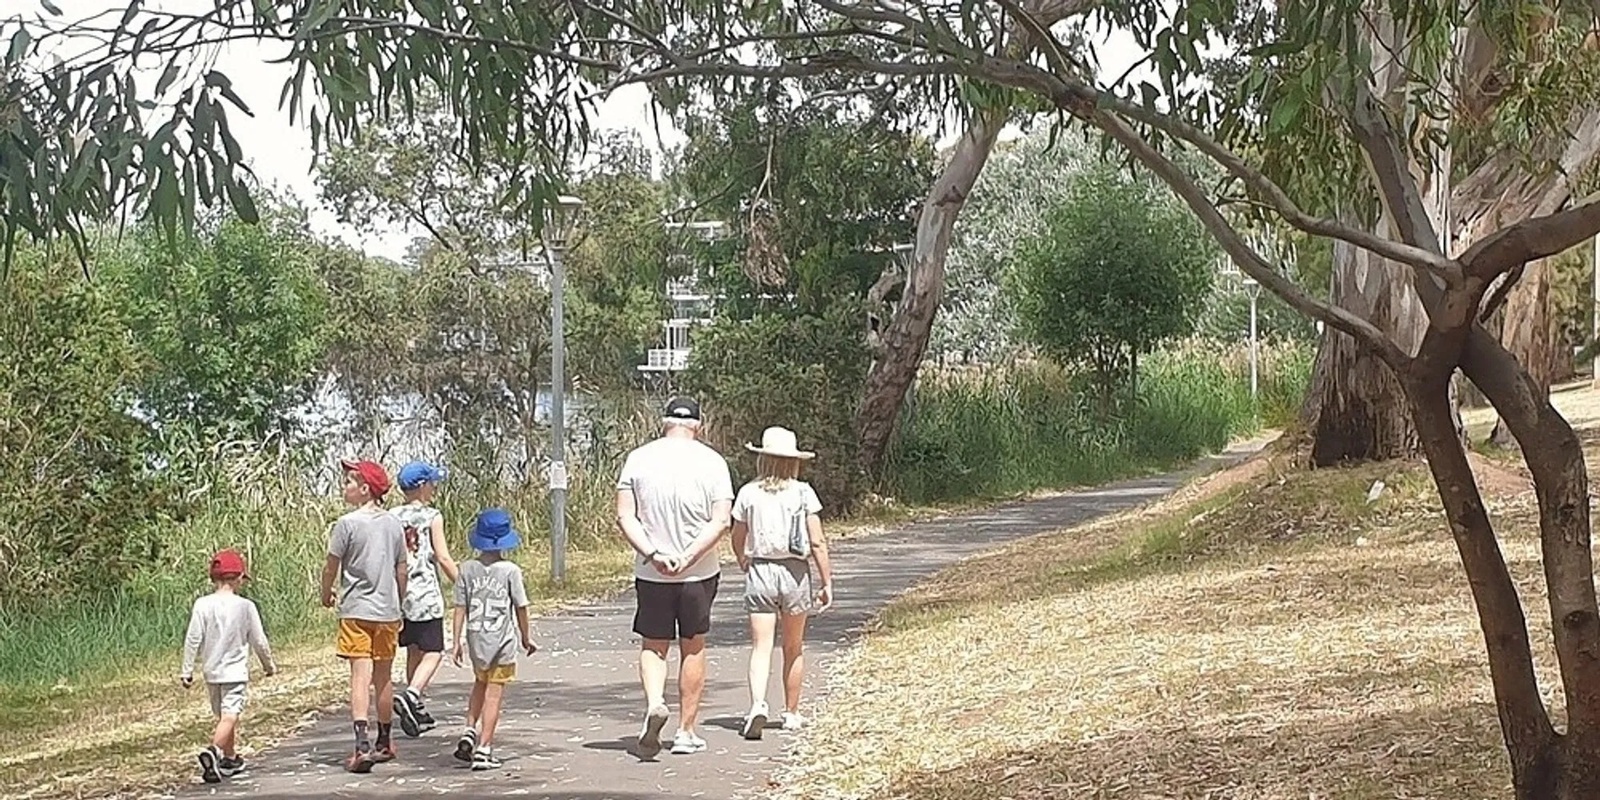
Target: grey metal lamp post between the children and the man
558 228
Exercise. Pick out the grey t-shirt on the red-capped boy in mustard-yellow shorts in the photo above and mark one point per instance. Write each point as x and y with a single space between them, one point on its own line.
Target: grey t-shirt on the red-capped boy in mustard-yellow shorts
369 548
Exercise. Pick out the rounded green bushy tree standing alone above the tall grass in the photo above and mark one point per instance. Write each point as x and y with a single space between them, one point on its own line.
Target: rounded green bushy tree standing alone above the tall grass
1119 271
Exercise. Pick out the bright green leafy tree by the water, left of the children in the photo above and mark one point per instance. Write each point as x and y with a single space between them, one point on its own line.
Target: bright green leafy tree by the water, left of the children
233 319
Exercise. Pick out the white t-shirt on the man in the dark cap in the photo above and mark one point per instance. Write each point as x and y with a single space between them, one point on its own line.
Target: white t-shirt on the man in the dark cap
676 482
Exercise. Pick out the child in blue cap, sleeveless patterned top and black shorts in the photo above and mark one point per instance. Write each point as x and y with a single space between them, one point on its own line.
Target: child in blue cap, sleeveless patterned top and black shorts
428 554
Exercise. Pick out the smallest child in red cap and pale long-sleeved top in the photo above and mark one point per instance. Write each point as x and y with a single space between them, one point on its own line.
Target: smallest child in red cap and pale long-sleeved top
223 630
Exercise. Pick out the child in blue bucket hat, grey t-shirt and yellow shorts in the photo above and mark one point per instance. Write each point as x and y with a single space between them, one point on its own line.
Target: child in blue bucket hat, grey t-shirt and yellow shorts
489 594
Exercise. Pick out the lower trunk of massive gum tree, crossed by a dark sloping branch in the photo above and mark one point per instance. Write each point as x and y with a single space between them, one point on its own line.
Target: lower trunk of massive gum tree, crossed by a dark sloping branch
1356 409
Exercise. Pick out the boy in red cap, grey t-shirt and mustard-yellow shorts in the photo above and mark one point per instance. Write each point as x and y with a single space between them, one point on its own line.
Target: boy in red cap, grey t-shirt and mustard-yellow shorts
367 556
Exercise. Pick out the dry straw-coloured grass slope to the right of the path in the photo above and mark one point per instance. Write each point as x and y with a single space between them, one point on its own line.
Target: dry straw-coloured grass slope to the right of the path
1262 636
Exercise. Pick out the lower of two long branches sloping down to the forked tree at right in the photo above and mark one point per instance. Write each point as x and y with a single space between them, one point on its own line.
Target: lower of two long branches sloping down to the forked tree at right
1250 262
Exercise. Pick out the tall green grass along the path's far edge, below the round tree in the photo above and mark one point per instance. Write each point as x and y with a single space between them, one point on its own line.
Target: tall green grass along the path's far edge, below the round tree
1031 426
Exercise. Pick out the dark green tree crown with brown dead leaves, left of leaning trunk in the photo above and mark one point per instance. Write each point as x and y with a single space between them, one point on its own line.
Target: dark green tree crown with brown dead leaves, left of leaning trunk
817 194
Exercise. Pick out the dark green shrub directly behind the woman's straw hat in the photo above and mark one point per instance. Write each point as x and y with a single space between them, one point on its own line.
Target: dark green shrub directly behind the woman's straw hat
801 372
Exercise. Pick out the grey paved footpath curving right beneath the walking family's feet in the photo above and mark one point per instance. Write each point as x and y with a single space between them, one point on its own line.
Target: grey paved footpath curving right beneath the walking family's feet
570 722
